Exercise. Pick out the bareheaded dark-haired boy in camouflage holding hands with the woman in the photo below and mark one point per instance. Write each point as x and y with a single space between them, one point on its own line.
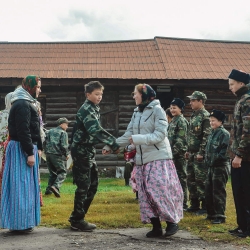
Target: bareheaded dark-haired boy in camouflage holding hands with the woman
88 133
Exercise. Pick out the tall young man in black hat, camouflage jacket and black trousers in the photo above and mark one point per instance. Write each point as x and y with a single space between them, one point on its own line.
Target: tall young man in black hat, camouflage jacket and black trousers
239 151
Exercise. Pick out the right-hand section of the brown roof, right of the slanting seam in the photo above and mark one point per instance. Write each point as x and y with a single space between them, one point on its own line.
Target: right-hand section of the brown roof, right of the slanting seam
202 59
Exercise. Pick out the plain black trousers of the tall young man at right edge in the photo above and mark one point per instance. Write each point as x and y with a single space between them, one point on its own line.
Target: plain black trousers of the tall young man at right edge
241 192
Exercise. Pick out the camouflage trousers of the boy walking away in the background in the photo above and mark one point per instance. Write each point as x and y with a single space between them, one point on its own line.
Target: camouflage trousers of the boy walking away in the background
57 170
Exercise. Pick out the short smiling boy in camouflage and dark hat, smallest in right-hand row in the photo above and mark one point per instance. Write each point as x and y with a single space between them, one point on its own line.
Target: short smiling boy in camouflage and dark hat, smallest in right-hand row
217 162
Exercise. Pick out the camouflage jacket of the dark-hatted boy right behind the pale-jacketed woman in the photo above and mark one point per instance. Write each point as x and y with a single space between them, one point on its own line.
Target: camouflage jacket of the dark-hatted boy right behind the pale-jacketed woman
177 135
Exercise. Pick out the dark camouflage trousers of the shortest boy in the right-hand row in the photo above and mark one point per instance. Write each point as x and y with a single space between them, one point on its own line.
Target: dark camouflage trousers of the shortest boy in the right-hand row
215 189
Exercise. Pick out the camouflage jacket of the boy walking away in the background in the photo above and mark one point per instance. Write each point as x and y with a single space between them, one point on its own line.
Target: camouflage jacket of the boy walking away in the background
56 142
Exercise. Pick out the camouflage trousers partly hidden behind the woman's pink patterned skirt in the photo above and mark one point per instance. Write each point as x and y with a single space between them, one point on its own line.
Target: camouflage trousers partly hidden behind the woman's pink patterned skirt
181 169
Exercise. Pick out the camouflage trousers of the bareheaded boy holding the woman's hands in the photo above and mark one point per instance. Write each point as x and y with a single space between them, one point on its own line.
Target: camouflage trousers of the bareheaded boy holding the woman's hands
85 177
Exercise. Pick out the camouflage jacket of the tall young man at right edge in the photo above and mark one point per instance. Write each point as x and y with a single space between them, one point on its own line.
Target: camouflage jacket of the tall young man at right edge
240 127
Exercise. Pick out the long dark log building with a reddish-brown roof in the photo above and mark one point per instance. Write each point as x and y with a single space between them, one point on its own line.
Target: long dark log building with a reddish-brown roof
173 67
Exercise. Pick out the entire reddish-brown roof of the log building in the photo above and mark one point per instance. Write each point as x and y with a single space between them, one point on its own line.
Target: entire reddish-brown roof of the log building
158 58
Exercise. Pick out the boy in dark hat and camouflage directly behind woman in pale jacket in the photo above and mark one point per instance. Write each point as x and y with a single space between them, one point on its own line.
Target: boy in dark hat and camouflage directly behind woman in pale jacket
177 135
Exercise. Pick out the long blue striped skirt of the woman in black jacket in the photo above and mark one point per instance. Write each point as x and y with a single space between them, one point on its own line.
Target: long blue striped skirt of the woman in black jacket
20 202
